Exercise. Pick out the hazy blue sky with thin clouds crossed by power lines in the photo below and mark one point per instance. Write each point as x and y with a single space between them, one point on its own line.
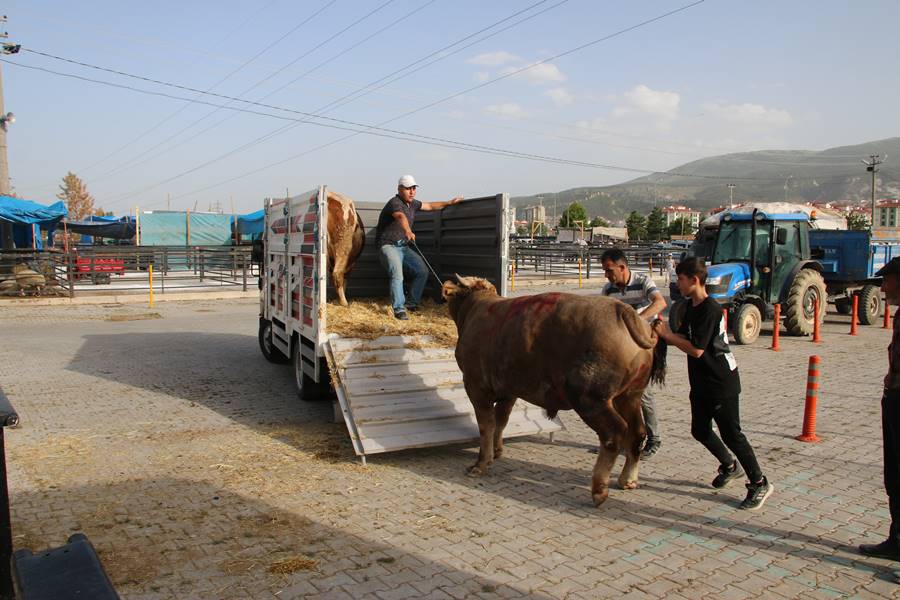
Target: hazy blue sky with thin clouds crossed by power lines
720 76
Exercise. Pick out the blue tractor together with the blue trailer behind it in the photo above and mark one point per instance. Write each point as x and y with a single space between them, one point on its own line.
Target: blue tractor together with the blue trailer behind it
758 259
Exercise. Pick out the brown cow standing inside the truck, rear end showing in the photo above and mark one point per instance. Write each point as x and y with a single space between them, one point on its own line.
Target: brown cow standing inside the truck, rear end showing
346 238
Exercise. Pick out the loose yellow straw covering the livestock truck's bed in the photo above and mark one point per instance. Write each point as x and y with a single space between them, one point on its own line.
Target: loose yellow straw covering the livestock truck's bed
369 318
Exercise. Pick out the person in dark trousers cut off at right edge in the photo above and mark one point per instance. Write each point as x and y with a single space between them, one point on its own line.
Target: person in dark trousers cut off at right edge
890 421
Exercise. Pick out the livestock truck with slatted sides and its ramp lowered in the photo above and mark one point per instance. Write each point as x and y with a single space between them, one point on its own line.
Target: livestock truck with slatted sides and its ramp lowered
394 392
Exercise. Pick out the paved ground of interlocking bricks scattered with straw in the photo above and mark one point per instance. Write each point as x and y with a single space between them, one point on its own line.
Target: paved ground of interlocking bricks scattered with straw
185 457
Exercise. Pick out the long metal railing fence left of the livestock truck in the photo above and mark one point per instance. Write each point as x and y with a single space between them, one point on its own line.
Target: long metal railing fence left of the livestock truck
127 269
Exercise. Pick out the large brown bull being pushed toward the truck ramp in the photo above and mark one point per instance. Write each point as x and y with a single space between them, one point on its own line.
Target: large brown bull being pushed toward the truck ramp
593 355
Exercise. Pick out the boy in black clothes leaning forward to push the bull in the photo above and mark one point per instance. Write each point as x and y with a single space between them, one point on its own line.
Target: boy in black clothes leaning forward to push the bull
715 384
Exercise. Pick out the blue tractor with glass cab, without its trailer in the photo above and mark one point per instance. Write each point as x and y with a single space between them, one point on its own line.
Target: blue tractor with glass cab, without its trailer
758 260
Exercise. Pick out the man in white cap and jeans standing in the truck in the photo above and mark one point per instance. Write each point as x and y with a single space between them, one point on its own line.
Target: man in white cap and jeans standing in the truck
393 236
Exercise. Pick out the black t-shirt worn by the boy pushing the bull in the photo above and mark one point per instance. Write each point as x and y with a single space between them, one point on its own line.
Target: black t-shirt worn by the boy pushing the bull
715 373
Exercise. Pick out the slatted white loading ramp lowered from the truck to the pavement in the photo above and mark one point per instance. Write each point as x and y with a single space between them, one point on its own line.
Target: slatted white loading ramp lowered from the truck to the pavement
399 392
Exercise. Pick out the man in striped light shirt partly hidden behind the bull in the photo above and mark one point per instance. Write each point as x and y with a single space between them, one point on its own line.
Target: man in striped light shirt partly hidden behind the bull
640 292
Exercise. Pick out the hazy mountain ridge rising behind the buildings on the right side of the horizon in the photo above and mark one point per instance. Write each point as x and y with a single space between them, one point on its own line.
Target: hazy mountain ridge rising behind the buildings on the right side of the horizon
832 175
